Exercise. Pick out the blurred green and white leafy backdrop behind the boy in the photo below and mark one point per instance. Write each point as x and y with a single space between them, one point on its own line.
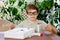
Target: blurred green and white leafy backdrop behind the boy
14 11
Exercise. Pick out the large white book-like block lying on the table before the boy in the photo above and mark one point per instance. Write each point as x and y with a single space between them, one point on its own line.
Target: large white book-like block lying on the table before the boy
19 33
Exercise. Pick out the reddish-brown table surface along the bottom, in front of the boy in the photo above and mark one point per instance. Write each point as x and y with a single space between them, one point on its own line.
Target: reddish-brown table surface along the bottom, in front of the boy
44 37
